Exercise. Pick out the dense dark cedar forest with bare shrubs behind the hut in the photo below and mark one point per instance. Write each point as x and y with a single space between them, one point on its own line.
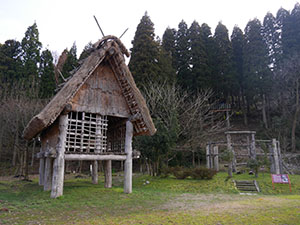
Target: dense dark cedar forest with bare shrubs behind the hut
183 76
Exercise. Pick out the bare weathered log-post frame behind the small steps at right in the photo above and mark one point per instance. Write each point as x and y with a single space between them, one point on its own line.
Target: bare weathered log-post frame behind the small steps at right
244 146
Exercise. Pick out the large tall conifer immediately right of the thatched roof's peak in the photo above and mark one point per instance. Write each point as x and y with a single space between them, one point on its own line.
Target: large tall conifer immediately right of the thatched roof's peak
144 61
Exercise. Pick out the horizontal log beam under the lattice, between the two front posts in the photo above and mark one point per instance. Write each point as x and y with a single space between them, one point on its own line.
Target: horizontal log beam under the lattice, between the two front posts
92 157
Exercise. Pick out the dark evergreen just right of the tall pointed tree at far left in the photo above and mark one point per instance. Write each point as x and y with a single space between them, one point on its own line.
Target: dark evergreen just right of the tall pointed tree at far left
47 85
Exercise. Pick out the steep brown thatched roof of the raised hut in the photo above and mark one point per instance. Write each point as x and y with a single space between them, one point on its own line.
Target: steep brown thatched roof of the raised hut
111 50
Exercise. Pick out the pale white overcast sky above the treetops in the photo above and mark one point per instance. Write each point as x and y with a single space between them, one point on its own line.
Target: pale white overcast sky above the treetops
62 22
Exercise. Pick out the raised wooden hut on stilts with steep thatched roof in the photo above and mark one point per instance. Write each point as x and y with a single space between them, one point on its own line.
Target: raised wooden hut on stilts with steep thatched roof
93 117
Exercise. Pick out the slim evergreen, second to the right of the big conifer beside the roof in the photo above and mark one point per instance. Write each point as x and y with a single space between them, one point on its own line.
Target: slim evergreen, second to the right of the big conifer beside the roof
182 56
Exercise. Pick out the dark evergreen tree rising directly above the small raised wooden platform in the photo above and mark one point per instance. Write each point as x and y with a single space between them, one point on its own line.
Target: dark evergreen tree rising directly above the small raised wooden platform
223 71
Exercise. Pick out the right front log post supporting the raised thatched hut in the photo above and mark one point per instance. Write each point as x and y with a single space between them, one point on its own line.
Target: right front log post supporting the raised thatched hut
128 161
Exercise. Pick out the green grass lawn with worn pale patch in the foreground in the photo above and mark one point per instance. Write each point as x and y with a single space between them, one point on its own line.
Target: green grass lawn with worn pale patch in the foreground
162 201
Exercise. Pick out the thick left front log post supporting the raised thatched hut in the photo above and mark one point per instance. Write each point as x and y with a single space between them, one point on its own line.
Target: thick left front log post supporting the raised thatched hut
59 162
